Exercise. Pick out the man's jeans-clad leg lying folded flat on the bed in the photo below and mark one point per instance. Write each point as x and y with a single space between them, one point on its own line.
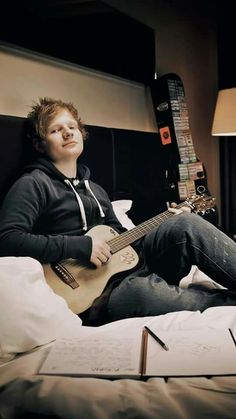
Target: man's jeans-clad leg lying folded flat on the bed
152 296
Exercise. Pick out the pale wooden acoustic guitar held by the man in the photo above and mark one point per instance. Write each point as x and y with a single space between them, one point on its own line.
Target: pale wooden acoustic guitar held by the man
80 285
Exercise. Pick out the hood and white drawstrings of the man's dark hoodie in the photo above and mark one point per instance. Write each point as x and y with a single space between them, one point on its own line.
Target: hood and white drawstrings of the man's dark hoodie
80 182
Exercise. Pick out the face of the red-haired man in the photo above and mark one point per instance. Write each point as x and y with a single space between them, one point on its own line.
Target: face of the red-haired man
63 139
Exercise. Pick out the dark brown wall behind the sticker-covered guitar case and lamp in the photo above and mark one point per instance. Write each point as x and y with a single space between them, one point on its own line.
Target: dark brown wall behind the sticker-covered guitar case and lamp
186 44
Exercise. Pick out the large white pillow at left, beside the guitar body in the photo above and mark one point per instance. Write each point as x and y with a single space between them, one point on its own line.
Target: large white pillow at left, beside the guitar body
31 314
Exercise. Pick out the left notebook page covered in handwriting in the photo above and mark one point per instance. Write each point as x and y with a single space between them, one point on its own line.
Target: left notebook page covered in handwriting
98 354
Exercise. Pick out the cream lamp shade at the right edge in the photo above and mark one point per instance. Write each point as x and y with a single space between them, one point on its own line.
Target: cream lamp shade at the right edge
224 122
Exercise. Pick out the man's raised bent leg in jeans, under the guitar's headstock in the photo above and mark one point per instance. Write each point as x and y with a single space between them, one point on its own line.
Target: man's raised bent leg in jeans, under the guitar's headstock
185 240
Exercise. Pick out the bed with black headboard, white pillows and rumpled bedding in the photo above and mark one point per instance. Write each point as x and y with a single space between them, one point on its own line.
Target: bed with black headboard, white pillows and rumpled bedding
32 316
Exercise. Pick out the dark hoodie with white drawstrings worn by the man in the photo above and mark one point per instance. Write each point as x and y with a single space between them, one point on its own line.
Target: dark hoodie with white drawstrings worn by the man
46 215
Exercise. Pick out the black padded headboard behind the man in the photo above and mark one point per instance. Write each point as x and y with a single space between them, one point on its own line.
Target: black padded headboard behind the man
128 164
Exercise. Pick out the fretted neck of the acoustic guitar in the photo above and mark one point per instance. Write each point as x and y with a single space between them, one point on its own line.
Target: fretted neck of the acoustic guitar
130 236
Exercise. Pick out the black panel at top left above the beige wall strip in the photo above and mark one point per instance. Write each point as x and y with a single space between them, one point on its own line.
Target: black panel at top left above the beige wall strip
87 33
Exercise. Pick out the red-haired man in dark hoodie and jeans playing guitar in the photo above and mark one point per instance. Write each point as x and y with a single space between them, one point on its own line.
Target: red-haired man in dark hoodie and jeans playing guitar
48 210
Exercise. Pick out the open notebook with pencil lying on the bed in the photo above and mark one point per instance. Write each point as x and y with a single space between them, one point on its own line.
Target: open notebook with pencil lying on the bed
106 353
